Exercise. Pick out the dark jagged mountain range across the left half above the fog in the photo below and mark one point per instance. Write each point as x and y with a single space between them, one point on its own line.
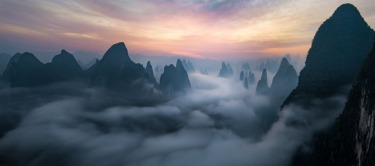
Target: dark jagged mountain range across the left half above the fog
115 70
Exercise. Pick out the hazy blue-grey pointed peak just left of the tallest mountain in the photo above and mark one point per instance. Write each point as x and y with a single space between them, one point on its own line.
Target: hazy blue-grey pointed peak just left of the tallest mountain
285 80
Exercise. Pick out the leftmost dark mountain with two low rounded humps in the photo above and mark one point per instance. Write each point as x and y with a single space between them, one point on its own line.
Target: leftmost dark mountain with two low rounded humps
25 70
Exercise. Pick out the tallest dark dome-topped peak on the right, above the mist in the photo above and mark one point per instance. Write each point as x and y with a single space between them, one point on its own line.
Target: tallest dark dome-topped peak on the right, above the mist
338 50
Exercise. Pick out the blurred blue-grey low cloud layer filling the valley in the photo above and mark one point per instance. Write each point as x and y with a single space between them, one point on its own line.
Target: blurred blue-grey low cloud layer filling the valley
217 123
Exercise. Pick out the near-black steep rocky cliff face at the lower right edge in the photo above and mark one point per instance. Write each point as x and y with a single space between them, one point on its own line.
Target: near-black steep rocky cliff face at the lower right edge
351 141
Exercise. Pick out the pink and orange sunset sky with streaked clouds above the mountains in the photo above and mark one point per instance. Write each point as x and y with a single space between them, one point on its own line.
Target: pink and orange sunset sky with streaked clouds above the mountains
212 29
